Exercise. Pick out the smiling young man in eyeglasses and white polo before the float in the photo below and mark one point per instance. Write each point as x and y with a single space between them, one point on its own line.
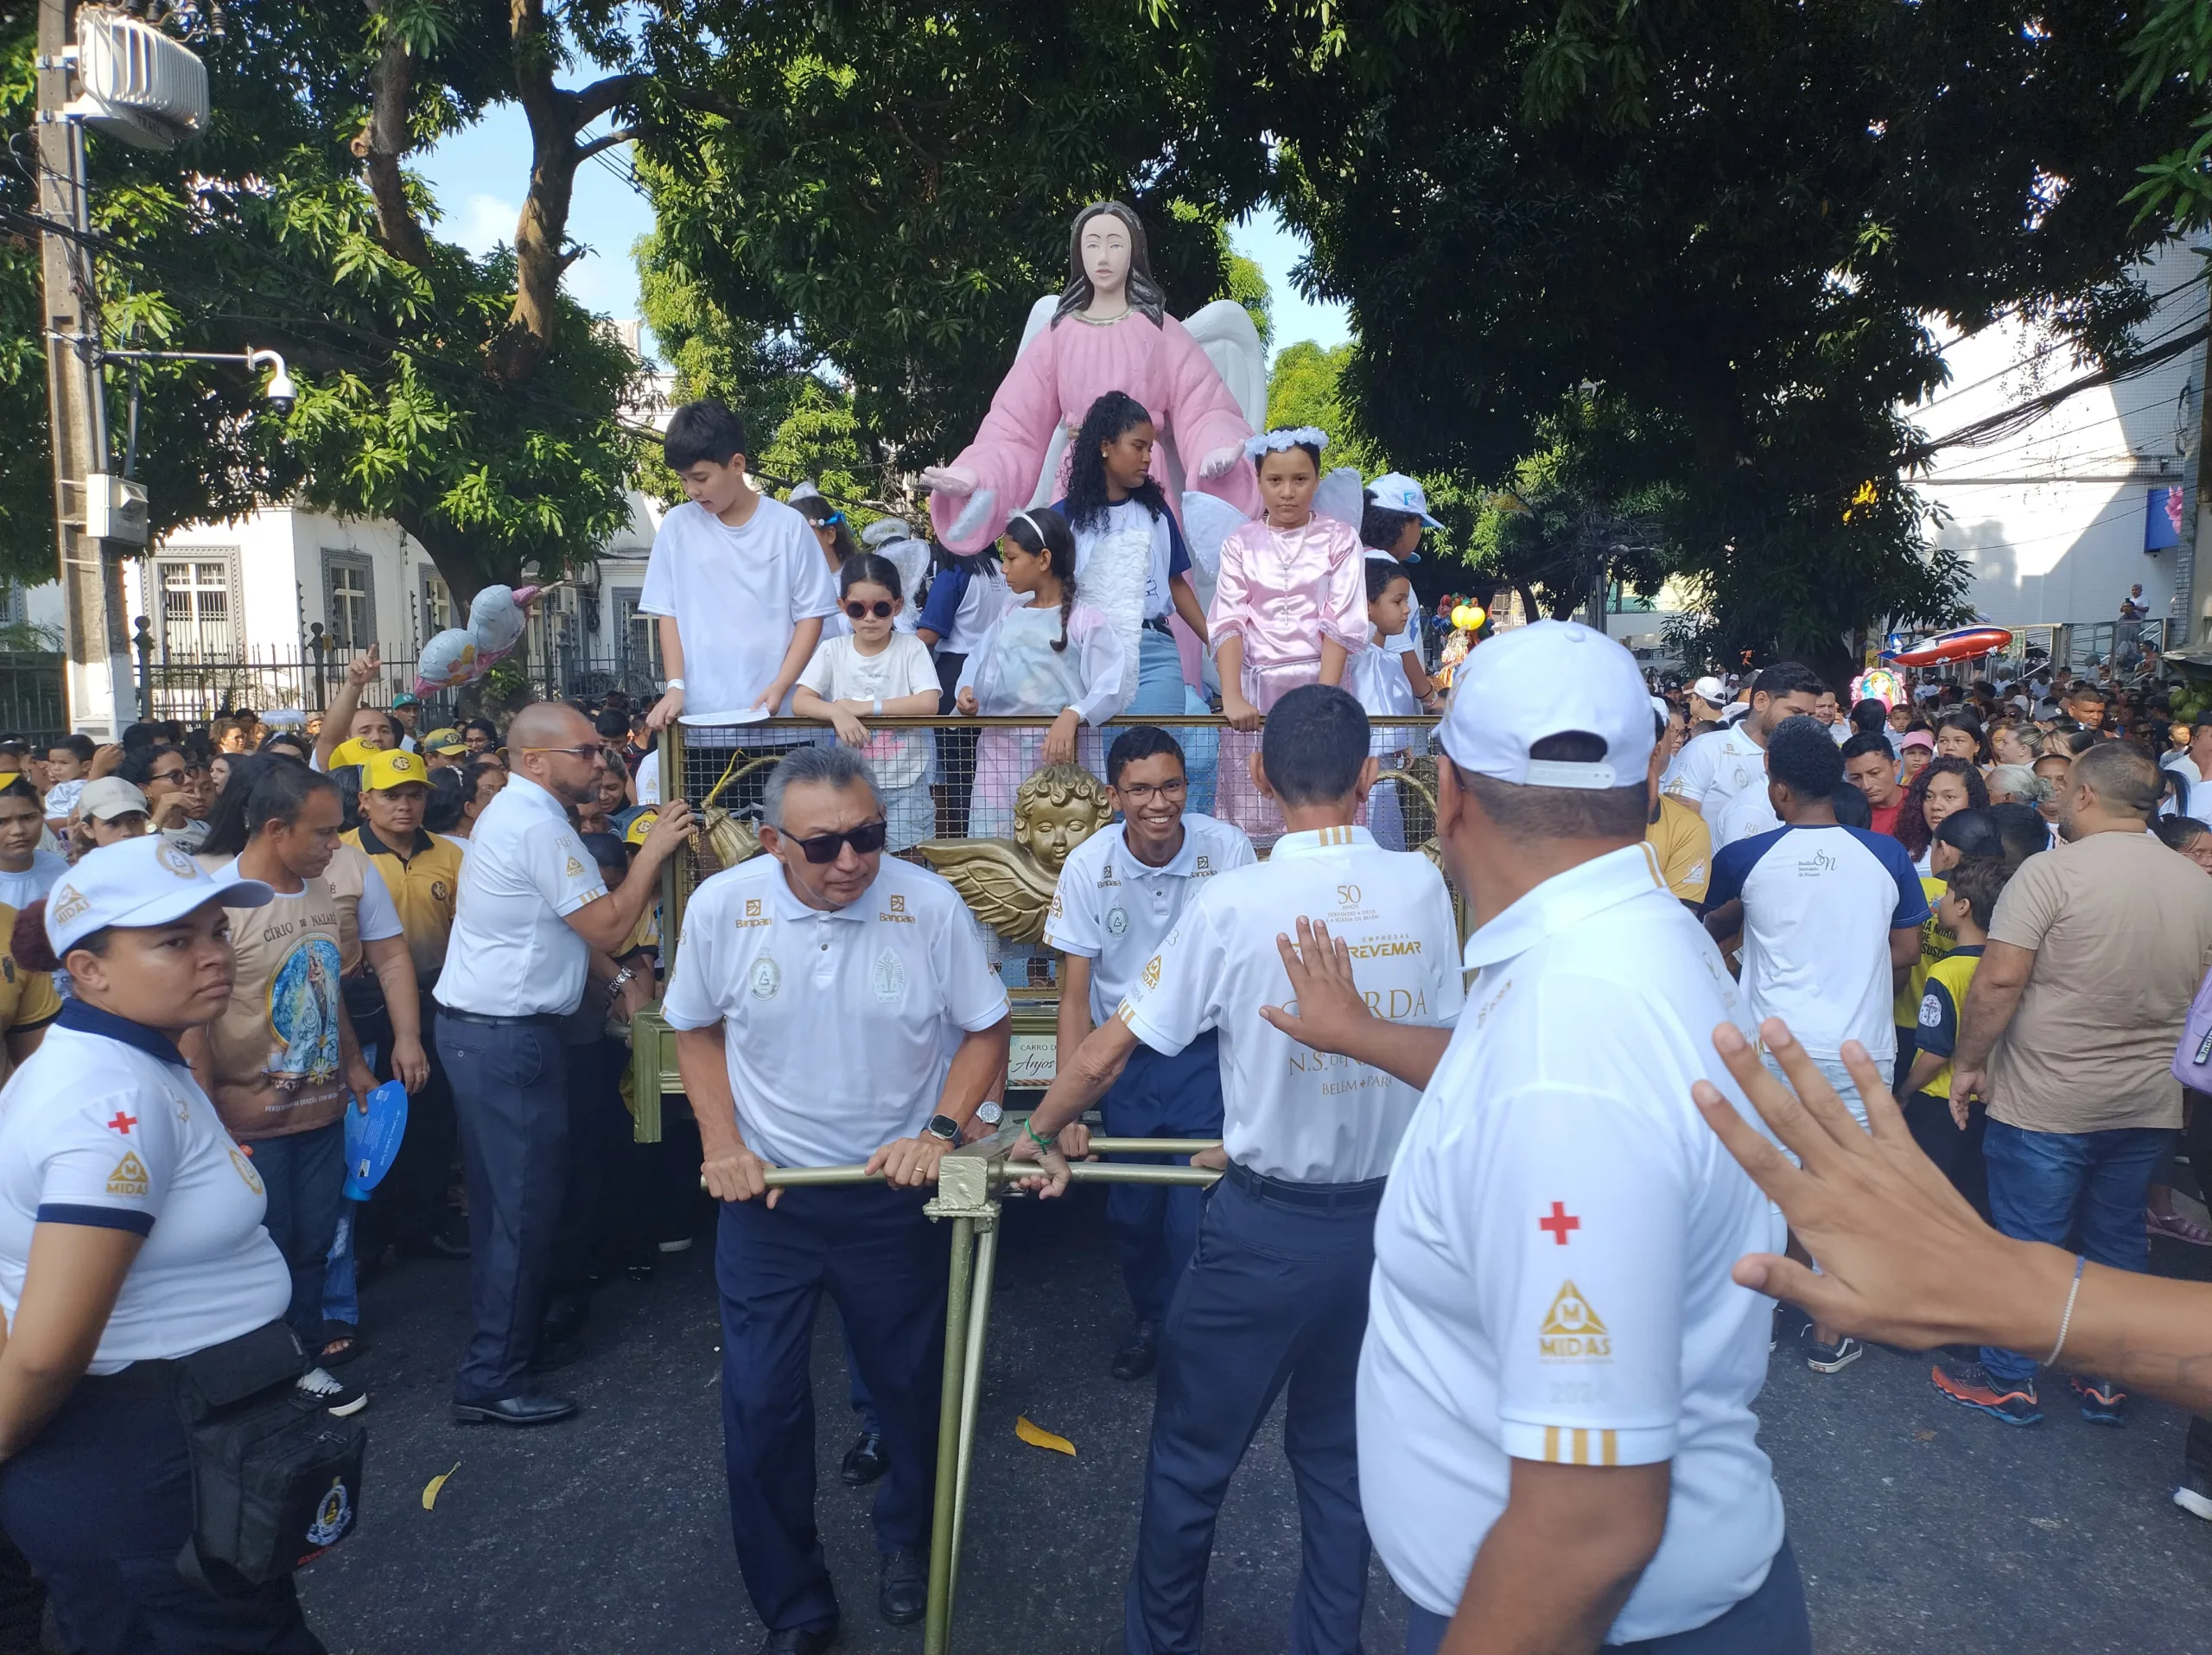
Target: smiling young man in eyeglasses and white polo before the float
1120 893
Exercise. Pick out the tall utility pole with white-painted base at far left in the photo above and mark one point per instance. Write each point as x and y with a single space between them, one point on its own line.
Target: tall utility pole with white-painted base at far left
98 665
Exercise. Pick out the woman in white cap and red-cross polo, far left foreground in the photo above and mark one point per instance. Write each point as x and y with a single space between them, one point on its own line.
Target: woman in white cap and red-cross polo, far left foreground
129 1240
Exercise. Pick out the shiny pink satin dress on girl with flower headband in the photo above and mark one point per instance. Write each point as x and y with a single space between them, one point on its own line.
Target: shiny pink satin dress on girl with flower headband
1282 592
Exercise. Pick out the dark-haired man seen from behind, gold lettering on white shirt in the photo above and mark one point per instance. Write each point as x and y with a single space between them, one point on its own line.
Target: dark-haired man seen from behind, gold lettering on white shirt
1277 1291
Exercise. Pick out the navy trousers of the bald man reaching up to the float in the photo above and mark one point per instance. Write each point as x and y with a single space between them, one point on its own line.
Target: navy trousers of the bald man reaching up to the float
512 1101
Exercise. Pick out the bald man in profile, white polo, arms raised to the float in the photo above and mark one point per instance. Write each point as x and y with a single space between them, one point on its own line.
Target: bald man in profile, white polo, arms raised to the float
532 924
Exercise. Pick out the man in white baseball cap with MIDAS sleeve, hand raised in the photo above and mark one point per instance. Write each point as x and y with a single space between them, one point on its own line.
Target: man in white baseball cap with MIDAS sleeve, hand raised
1556 1393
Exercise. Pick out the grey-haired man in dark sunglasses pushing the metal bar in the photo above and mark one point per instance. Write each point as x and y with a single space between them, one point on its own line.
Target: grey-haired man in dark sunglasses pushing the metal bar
831 1006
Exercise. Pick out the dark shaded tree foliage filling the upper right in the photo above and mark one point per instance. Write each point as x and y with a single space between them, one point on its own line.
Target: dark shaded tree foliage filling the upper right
1735 218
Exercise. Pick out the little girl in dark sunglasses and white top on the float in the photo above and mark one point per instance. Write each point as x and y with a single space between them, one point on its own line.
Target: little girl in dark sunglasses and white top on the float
877 672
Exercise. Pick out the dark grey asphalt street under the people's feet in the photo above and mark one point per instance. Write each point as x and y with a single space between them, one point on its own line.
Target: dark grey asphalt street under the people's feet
1919 1526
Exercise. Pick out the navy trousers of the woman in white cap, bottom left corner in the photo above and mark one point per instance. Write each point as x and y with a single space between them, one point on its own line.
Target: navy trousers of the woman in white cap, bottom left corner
103 1503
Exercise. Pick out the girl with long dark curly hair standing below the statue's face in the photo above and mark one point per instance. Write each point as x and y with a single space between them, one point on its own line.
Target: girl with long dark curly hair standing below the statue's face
1112 492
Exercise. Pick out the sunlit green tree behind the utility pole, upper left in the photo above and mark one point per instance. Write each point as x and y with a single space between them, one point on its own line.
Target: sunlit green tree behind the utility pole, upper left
468 399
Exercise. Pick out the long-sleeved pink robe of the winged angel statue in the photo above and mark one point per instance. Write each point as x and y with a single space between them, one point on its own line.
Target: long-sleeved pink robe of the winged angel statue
1056 382
